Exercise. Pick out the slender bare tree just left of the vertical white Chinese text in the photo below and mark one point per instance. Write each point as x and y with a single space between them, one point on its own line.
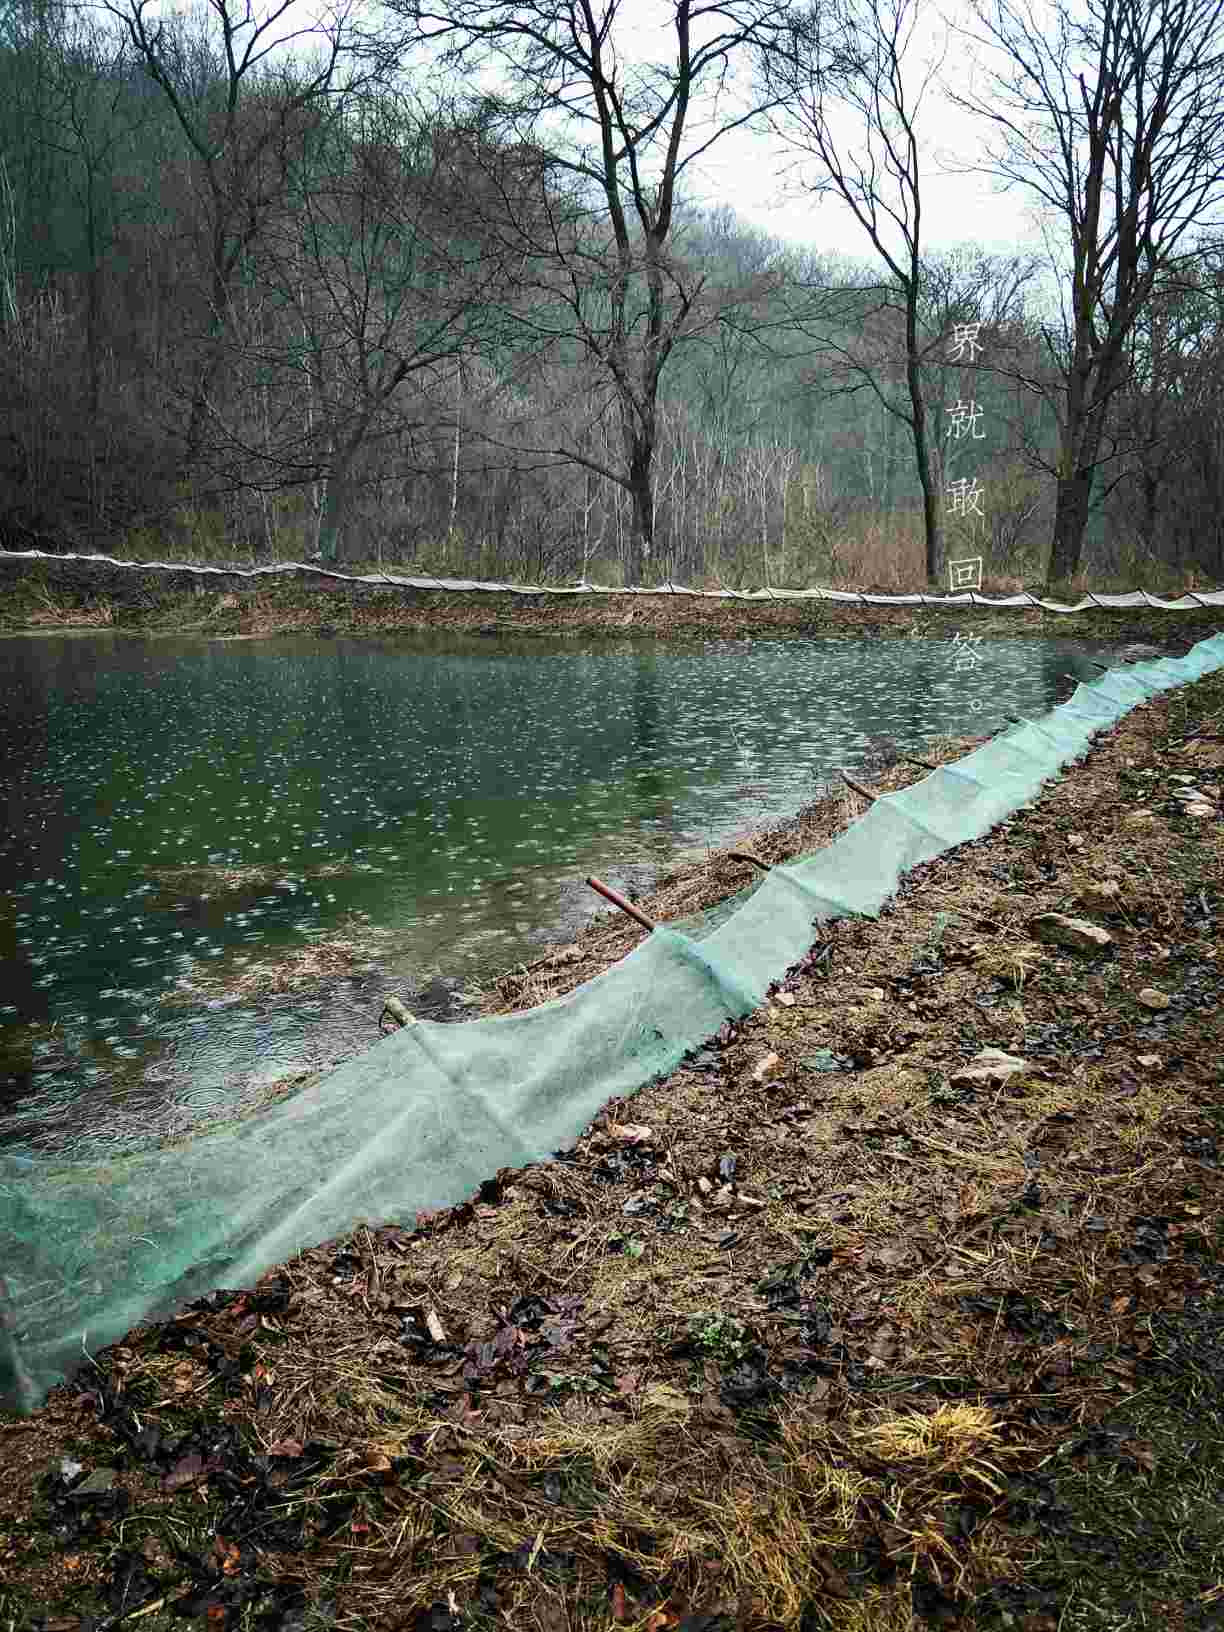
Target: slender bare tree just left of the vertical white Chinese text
851 55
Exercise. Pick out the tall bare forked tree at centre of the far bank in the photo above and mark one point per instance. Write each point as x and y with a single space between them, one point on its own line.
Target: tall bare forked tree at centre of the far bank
619 136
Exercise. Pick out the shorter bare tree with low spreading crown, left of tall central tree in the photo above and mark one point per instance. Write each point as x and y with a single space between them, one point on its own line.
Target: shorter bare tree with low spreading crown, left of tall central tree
383 291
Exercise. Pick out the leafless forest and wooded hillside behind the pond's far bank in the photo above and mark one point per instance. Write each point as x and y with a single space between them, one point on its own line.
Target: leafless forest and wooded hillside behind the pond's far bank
433 291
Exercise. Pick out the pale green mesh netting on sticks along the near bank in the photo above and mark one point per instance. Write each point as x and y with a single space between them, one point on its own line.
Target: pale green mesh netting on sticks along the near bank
92 1249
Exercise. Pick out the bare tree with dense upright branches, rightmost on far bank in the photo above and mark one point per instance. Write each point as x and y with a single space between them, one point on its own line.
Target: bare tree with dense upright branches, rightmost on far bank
1114 118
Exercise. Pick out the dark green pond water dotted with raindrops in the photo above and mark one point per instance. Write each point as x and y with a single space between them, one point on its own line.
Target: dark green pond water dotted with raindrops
180 812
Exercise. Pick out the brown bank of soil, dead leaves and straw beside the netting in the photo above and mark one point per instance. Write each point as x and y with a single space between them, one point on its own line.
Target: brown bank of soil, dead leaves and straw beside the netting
900 1305
